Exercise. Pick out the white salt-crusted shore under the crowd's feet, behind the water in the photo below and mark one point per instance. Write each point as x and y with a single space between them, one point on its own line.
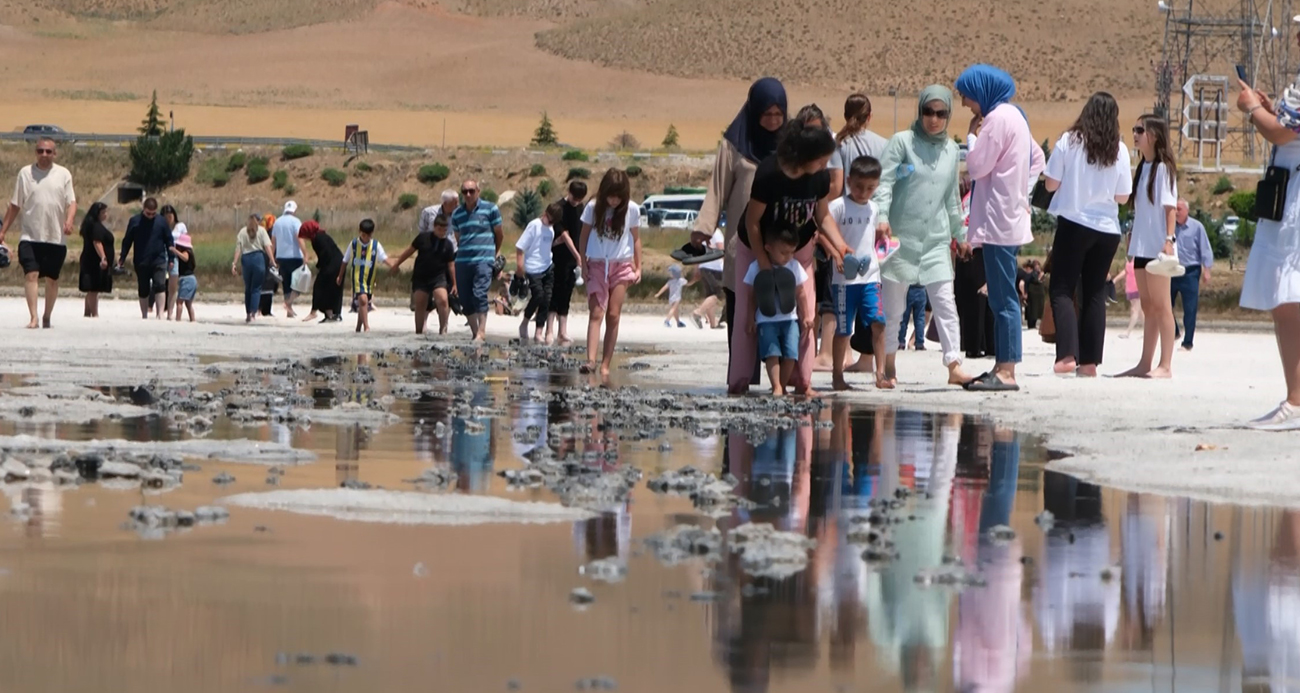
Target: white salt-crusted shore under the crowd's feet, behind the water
1132 435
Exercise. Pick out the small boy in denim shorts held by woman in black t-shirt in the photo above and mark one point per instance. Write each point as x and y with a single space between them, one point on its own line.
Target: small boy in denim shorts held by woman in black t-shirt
779 333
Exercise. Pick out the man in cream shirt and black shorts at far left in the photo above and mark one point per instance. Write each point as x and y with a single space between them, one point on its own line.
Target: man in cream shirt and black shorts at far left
45 196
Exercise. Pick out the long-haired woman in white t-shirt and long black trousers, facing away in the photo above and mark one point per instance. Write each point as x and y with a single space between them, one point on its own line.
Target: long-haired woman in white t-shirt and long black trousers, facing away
1089 172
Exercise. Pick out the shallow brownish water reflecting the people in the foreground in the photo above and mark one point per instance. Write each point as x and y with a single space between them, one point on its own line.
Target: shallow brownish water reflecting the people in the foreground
1126 592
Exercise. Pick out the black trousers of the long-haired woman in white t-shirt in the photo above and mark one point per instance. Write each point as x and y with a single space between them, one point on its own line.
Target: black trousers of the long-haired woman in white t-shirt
1081 259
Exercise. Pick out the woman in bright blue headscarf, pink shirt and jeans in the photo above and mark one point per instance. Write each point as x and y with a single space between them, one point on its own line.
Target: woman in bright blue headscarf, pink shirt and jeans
1003 162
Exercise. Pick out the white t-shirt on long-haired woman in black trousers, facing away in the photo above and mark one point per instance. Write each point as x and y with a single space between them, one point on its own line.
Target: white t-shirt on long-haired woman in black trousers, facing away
1087 193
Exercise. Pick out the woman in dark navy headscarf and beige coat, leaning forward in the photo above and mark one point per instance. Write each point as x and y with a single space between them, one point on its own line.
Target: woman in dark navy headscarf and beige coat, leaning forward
749 140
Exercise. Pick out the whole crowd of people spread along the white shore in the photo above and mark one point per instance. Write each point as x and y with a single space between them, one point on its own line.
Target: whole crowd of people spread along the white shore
834 239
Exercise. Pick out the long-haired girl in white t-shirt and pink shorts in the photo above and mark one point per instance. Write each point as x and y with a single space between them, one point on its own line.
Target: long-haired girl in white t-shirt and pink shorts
610 250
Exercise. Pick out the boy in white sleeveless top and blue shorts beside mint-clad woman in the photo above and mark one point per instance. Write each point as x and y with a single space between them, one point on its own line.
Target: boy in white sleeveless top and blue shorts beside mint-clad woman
856 283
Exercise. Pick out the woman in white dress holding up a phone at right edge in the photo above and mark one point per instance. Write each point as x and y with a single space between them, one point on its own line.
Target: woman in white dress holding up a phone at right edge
1273 271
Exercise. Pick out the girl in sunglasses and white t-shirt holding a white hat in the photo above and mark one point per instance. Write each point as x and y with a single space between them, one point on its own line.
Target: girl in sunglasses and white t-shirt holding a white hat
1155 215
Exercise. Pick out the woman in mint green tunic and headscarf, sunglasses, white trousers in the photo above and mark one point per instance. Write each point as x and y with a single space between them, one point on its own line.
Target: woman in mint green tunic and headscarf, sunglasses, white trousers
920 205
